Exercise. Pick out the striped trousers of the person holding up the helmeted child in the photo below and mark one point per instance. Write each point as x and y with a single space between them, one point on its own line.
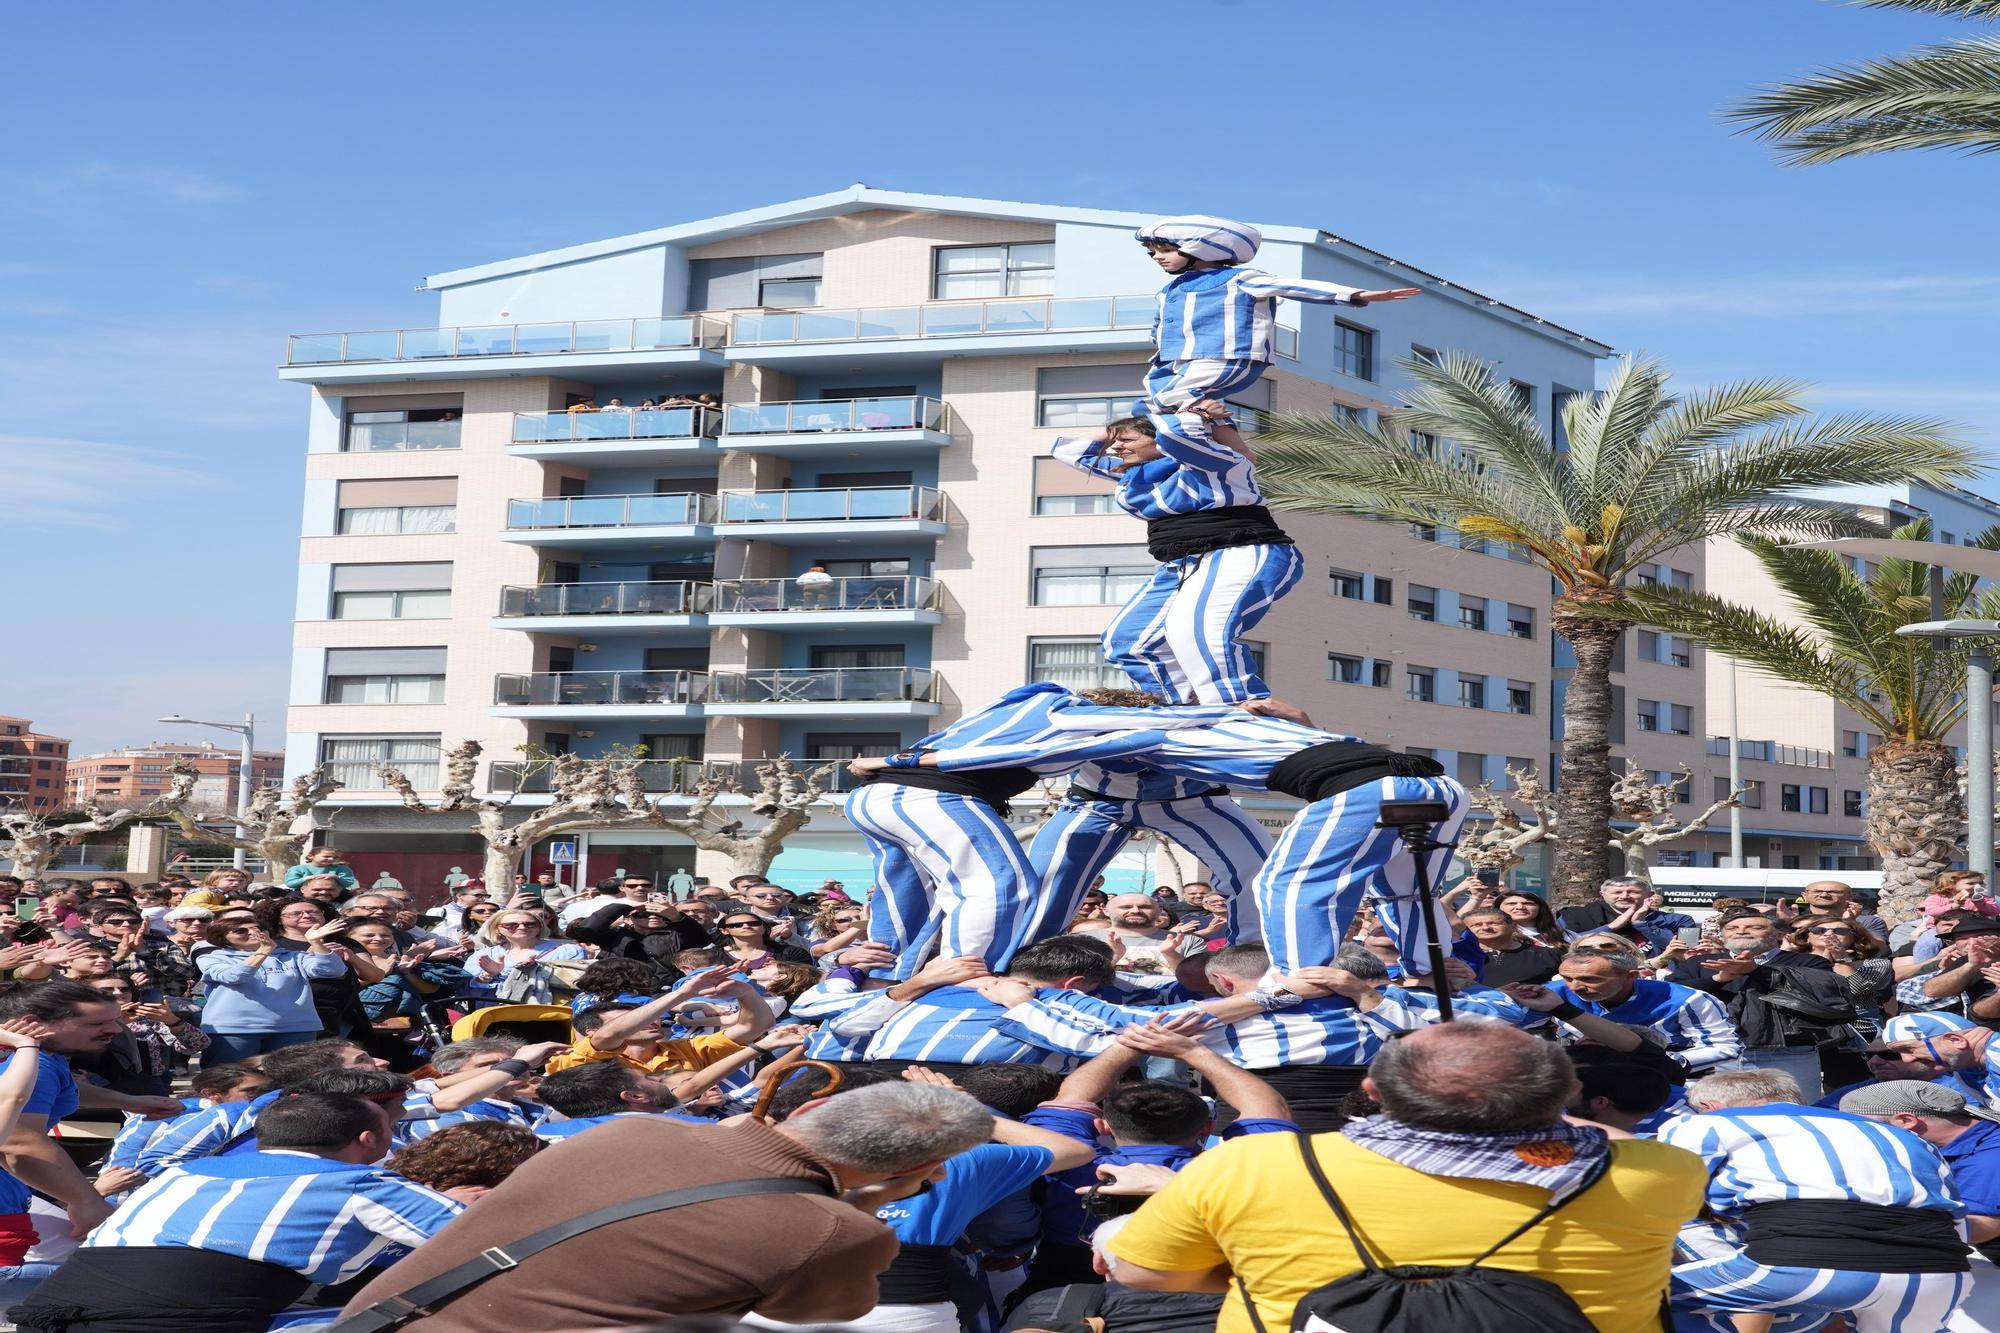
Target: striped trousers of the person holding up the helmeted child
1181 635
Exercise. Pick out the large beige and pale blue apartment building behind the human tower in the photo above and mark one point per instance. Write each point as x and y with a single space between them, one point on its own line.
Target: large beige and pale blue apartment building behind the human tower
885 375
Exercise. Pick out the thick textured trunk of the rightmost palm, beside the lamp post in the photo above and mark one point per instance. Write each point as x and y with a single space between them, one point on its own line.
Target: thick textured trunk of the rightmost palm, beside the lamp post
1915 820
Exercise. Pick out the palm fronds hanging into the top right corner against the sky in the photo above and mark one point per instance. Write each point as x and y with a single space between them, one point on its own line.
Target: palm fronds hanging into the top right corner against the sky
1935 97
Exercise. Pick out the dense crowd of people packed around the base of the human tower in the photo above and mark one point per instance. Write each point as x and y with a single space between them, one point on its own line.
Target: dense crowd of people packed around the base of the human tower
313 1080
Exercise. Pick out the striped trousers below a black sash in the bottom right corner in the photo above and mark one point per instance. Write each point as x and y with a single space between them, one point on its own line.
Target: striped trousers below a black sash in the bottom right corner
1709 1292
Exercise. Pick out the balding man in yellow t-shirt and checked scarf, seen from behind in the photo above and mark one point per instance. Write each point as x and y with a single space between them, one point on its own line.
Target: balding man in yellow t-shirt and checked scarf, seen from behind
1251 1210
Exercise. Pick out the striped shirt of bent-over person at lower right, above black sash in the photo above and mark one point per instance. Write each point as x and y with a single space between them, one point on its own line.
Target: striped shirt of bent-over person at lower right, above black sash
1783 1152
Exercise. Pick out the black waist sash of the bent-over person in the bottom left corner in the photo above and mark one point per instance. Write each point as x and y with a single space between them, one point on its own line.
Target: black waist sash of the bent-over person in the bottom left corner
157 1290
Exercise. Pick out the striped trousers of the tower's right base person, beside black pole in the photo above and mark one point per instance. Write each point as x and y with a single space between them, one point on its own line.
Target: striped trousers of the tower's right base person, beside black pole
1333 856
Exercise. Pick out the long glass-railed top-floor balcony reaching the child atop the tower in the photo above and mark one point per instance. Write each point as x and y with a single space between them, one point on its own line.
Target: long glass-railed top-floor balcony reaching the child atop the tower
1009 327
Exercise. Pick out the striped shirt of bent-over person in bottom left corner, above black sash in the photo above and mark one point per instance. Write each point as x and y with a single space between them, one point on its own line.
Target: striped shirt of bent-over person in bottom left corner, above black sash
325 1220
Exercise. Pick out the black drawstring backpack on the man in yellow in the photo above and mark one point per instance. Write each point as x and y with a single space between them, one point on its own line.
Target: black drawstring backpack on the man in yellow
1431 1300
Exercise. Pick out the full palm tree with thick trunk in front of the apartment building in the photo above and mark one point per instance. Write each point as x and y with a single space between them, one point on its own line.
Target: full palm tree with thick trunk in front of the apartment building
1639 477
